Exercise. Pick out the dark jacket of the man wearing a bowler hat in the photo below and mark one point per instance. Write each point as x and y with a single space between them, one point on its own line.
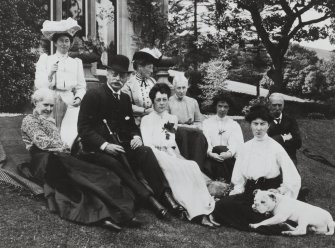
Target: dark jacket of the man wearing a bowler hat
99 104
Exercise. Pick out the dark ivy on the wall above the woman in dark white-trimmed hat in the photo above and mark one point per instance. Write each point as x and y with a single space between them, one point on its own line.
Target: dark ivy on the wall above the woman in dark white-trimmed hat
150 23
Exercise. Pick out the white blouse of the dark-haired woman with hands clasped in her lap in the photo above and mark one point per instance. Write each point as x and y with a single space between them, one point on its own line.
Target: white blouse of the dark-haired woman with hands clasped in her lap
223 132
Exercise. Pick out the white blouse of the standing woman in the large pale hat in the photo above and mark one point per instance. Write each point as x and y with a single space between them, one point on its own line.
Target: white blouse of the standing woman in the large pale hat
69 80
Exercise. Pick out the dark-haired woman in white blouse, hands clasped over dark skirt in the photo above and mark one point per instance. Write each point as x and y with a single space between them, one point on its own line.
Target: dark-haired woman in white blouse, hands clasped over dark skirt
224 136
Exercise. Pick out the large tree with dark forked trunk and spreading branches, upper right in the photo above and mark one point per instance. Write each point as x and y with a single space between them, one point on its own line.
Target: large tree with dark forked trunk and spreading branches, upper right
278 22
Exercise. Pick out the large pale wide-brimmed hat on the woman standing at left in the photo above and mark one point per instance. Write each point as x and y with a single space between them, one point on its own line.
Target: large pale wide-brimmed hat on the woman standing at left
68 26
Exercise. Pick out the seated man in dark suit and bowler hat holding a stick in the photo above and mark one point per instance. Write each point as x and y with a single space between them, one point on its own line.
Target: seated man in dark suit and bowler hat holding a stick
108 103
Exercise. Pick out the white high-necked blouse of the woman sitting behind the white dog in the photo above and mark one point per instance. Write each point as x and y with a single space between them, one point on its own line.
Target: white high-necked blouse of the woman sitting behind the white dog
265 158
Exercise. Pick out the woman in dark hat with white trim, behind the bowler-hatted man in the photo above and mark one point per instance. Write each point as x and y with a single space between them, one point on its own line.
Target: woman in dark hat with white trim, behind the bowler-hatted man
140 84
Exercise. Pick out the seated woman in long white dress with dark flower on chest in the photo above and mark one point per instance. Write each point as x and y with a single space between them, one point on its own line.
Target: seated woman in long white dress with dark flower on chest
184 176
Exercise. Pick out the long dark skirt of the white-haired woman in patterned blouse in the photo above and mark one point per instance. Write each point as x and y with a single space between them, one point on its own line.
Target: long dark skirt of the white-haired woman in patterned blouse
80 191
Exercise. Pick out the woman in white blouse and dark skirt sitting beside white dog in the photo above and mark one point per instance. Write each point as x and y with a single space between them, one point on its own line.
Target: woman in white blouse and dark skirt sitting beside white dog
262 164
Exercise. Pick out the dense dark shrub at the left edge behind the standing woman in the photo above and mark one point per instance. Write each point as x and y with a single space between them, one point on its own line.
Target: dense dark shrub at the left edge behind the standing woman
20 22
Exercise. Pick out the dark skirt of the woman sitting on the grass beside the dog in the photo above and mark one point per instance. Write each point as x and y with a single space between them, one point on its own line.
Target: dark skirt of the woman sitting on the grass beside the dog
236 210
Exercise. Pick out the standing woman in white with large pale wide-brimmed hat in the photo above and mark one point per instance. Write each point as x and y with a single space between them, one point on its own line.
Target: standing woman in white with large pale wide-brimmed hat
64 75
